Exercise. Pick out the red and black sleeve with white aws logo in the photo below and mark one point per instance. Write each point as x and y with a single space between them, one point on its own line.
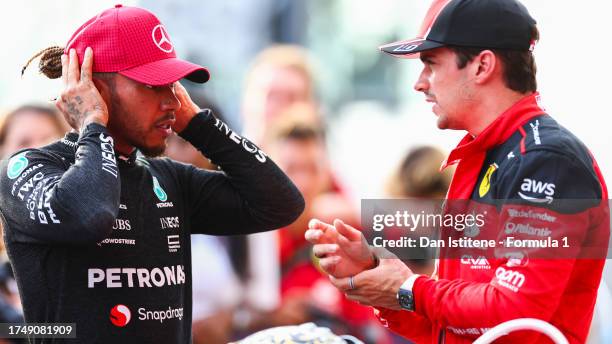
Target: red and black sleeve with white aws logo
534 188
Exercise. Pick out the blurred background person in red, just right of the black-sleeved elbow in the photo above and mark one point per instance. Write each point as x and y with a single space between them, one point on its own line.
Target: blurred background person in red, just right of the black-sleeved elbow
296 141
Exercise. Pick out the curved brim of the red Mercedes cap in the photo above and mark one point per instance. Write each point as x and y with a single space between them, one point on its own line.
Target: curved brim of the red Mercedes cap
167 71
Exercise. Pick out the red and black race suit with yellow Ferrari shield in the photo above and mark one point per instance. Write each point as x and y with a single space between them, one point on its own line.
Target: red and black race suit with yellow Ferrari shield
523 158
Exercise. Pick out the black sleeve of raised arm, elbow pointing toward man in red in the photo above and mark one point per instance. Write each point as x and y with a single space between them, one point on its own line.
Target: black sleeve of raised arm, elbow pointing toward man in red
252 195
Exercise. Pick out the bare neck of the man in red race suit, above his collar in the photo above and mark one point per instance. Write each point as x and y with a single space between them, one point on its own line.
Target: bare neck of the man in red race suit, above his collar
490 106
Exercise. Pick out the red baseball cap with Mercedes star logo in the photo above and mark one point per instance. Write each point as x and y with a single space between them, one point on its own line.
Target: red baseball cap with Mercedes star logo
132 42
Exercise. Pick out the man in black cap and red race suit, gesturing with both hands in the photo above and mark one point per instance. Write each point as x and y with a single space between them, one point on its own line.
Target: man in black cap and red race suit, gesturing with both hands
479 73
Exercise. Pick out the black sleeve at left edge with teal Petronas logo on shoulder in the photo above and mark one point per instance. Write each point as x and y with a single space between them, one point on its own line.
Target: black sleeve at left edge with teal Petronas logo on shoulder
46 200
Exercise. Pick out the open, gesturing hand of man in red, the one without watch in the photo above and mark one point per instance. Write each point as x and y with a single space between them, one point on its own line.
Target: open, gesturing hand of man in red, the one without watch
342 250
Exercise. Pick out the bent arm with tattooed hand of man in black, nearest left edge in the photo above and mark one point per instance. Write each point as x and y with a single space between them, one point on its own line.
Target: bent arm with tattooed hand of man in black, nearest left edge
45 200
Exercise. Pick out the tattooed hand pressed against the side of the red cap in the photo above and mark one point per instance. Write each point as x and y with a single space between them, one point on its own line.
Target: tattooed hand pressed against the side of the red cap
80 101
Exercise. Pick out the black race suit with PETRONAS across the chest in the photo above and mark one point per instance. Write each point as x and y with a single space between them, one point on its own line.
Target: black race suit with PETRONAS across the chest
106 245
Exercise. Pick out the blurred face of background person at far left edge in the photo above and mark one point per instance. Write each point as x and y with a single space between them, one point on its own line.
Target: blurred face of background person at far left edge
30 126
